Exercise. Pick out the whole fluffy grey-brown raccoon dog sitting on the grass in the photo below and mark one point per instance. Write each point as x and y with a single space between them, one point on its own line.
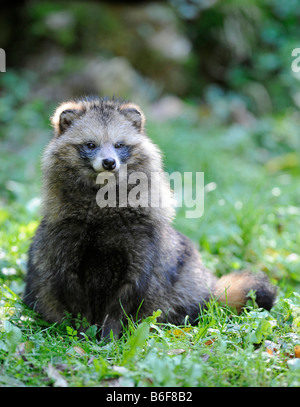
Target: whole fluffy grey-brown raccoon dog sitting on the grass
99 261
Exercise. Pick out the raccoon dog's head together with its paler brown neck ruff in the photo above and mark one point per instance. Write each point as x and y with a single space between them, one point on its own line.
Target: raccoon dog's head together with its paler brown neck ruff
93 139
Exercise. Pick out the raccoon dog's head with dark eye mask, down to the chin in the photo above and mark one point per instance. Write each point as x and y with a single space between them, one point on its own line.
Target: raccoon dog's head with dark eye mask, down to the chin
96 135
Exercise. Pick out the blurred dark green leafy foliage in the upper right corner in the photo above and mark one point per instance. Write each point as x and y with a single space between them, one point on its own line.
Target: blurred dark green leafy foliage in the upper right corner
245 47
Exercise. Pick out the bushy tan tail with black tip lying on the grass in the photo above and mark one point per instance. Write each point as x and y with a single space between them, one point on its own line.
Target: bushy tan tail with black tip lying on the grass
232 290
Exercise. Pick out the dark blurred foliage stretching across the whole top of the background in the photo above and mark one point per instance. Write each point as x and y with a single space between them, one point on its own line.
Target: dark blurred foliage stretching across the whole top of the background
241 47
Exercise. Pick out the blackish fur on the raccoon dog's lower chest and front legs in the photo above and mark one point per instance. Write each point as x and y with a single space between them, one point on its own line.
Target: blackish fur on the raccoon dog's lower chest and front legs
90 264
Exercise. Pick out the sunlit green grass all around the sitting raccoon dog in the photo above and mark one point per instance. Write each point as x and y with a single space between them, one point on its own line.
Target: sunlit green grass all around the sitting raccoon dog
251 220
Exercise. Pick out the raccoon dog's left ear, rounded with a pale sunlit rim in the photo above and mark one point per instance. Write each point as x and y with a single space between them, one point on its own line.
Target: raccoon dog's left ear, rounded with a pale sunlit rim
64 116
